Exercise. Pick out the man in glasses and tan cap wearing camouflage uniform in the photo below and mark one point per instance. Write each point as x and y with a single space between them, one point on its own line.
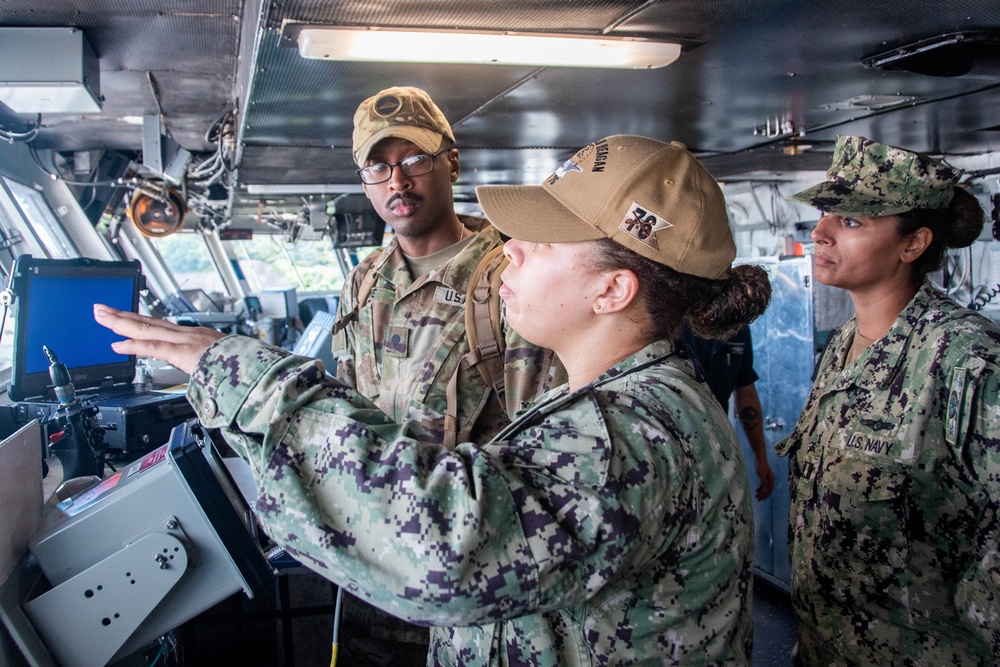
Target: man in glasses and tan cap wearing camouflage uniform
404 344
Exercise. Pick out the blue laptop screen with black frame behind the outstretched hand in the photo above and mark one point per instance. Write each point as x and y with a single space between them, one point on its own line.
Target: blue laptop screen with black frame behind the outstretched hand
54 308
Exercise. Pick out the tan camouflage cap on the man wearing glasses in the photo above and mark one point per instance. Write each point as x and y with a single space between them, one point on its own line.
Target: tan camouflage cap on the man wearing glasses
403 111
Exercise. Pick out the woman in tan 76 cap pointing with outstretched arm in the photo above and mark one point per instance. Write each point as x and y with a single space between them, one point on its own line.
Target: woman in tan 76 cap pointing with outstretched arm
610 523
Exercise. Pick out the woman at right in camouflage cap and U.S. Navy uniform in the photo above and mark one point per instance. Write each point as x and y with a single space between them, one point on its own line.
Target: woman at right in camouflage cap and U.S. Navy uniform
894 461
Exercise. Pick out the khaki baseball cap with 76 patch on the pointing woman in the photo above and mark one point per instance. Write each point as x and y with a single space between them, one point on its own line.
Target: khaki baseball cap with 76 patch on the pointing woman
652 197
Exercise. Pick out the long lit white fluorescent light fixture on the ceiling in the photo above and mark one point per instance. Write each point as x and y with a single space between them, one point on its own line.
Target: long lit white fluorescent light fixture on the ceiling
484 48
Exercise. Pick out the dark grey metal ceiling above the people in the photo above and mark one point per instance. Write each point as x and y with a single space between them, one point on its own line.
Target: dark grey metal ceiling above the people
748 67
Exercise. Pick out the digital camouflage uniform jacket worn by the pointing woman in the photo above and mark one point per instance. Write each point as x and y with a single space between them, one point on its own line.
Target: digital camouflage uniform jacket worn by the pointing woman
608 525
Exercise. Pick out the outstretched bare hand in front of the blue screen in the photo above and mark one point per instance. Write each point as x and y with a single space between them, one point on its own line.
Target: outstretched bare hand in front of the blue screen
180 346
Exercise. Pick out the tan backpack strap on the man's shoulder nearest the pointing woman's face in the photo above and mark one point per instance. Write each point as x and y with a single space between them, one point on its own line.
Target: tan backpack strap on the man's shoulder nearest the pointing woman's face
482 320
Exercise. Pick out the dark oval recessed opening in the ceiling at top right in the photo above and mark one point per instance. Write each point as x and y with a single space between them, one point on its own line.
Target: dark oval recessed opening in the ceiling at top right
973 54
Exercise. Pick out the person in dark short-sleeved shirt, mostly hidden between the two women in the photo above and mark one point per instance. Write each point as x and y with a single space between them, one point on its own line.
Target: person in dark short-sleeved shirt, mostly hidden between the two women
727 366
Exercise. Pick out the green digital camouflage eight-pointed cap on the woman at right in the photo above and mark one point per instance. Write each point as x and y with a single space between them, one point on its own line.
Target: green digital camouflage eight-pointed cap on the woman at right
871 179
